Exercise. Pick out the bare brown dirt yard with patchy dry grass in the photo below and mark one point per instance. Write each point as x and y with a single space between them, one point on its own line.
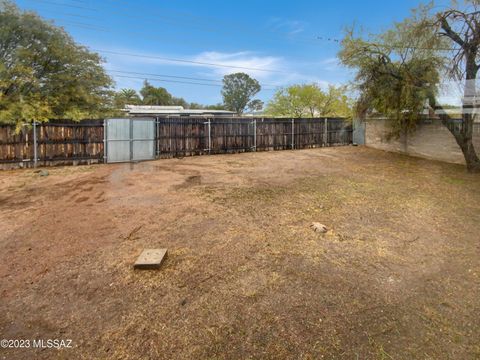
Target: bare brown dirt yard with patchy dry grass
246 277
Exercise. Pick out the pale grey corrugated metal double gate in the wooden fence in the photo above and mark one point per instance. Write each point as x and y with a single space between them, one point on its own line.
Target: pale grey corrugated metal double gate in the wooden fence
129 140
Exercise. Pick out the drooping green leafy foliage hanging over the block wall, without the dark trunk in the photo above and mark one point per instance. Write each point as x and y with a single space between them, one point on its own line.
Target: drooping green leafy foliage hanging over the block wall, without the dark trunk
397 71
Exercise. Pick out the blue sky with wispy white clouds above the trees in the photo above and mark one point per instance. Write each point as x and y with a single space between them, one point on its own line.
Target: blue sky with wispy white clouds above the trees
279 36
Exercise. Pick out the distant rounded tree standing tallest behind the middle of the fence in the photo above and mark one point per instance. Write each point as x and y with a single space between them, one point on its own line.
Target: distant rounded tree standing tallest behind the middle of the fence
238 90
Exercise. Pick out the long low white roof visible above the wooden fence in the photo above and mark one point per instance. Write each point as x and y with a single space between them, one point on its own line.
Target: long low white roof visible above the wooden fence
157 110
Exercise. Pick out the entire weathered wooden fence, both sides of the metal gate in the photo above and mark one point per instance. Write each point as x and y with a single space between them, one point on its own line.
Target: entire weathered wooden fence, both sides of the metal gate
68 142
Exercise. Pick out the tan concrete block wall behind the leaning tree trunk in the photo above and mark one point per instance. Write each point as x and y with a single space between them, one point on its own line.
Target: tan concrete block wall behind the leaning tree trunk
431 140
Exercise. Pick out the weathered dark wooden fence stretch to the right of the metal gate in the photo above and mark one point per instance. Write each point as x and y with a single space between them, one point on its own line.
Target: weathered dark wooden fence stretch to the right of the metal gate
194 136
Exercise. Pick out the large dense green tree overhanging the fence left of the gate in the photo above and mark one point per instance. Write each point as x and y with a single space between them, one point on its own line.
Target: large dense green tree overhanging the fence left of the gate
44 74
